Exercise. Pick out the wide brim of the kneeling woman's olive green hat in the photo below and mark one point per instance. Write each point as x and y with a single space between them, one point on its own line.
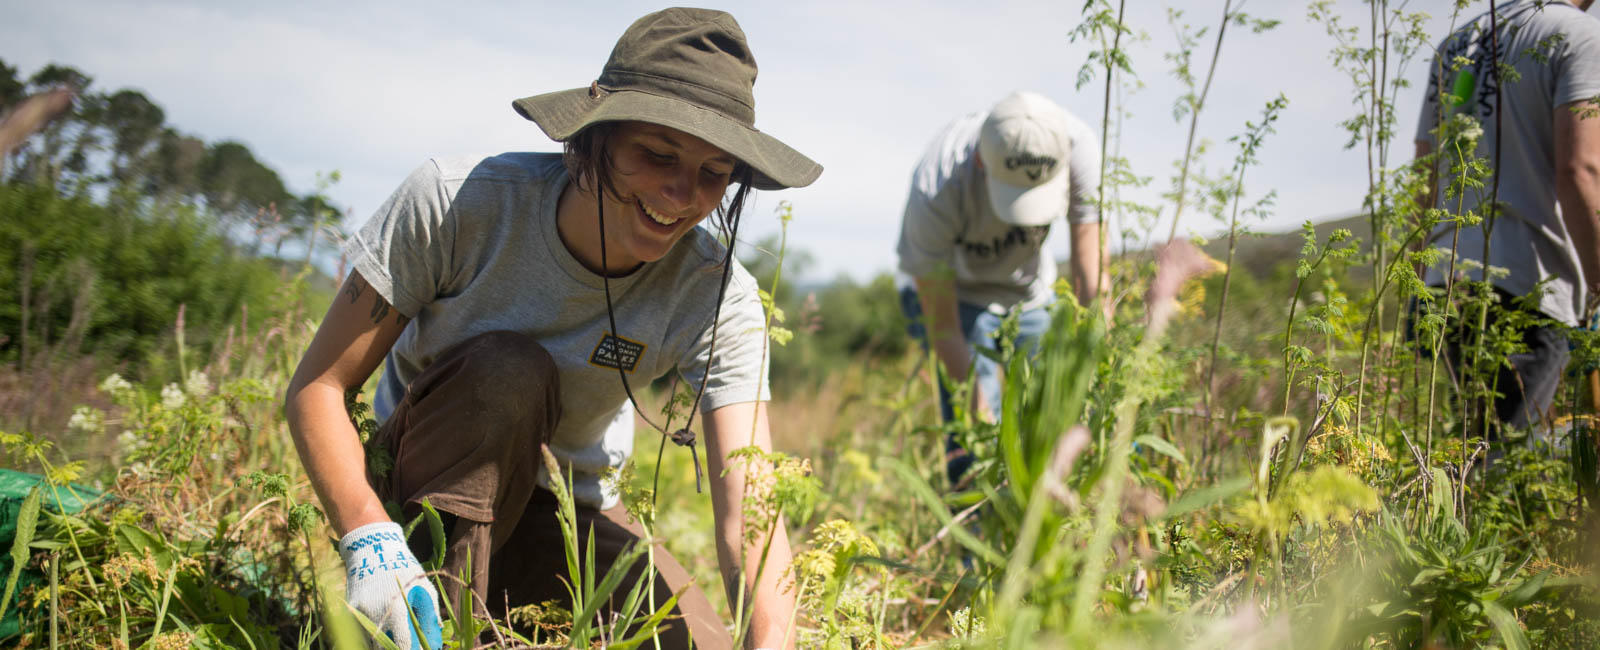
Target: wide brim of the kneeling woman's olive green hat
566 113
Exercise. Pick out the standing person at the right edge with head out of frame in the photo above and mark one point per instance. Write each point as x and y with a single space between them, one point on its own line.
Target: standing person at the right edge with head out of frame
1548 177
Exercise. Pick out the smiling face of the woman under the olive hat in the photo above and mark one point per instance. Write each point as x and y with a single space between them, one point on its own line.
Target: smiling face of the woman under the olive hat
666 182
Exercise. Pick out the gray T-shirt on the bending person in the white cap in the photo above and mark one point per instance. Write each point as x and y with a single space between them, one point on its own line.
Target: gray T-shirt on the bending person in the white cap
950 222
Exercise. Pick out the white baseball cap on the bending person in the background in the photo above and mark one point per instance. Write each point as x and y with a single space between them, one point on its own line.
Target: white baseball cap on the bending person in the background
1025 148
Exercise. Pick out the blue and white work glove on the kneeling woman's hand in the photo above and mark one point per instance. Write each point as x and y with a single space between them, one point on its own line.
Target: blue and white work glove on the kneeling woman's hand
386 584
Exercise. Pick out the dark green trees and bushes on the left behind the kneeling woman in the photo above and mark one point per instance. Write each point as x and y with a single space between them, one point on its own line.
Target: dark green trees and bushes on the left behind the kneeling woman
114 223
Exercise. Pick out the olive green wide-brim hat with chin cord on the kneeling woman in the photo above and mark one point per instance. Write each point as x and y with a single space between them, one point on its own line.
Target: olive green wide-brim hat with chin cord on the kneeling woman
687 70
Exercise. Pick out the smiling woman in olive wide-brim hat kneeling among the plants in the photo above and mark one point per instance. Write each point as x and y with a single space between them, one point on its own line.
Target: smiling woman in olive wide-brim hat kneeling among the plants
516 300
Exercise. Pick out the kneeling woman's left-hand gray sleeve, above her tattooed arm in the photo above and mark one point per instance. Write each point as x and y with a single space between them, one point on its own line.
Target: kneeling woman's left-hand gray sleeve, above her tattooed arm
404 251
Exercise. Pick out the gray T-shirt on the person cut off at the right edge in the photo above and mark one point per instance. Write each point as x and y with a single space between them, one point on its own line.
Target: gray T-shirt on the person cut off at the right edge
1556 50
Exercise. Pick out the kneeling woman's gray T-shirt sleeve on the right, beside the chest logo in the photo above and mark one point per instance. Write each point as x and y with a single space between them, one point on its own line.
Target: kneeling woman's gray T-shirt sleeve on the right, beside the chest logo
738 369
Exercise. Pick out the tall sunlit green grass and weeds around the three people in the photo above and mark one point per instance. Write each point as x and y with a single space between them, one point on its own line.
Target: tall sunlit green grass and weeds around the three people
1231 460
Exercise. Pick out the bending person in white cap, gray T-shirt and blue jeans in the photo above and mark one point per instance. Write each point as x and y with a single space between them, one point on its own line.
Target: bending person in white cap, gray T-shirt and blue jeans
974 238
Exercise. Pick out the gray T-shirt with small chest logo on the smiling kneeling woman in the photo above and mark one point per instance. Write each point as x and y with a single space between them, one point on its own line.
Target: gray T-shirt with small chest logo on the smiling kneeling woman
470 246
